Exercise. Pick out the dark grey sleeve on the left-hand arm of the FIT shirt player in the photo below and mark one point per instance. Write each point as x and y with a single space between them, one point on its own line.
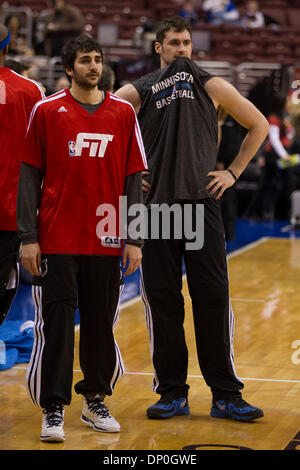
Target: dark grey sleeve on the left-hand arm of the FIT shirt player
28 201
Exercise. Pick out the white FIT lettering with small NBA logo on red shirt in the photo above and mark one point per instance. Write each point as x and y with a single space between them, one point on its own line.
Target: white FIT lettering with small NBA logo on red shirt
96 143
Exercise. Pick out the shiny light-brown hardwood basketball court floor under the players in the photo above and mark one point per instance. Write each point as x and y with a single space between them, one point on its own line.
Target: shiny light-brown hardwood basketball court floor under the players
264 281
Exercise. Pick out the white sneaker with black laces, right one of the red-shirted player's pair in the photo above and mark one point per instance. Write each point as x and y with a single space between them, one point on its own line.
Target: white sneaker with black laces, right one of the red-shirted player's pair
97 415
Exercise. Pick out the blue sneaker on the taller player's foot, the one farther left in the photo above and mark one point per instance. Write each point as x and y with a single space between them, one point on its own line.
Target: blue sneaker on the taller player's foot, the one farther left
167 407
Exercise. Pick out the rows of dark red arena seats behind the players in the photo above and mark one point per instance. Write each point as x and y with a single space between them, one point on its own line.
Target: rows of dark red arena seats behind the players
227 43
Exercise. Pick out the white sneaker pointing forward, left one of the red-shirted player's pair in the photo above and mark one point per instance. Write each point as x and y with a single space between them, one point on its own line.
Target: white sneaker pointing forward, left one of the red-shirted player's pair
52 425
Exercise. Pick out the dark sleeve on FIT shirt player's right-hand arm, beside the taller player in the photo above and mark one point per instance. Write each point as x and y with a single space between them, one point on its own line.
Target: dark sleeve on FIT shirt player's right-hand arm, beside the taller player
133 191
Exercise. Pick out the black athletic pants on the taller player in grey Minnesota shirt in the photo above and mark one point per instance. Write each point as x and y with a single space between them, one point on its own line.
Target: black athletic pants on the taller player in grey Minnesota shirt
161 284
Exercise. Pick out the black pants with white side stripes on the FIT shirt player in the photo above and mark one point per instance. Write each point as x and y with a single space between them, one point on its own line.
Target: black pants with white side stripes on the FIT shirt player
91 283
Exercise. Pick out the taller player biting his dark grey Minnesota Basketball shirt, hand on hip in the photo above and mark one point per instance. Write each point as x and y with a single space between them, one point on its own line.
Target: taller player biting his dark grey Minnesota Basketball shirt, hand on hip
177 107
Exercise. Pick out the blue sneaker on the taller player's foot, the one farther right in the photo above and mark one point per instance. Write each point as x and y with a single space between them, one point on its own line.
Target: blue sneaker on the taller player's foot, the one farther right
235 408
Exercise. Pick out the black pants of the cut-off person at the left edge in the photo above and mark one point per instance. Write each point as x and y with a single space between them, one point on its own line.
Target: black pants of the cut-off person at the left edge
9 245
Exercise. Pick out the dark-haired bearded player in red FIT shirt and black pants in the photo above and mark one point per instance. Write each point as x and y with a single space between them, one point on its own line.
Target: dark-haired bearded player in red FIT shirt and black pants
84 146
